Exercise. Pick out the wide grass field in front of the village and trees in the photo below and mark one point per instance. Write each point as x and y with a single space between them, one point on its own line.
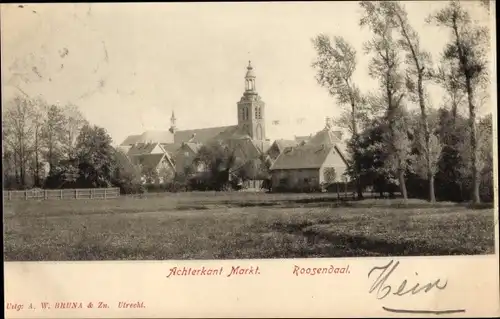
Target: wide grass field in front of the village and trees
241 225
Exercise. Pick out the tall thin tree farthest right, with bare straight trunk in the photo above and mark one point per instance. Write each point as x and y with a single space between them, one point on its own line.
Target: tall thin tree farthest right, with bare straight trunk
469 48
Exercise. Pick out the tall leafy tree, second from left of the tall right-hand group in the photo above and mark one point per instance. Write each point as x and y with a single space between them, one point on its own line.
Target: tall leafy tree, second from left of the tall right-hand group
385 66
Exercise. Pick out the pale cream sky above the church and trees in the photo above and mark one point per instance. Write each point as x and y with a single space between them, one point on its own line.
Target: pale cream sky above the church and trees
128 66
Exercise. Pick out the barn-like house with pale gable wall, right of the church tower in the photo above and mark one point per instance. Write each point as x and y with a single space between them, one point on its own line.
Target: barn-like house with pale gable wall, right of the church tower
310 166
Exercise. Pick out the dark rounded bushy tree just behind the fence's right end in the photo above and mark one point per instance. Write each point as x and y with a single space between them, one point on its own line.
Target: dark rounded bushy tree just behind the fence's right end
95 156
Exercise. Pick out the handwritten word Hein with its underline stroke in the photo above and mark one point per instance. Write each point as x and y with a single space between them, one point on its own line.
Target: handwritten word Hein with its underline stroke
382 288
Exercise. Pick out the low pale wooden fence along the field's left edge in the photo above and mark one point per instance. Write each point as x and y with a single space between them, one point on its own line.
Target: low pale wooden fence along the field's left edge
82 193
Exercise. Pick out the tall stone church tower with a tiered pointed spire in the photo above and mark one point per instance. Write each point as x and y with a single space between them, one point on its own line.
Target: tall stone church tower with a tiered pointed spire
251 109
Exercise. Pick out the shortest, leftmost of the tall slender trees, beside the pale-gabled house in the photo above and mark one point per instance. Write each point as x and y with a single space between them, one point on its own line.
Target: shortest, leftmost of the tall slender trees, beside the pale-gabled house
335 65
